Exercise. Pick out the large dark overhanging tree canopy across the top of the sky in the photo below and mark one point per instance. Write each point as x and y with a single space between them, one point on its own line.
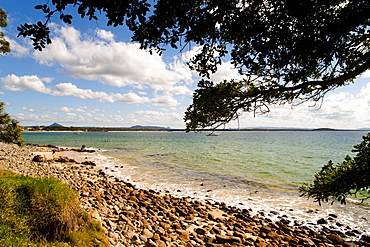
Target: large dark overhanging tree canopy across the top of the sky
288 51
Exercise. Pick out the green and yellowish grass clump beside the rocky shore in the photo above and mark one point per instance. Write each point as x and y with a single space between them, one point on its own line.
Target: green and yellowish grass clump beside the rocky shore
44 212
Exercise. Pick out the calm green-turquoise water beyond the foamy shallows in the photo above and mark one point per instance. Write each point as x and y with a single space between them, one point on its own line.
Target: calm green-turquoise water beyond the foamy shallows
284 159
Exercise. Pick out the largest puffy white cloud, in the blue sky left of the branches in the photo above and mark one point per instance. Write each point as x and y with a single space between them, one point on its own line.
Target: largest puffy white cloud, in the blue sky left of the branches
116 63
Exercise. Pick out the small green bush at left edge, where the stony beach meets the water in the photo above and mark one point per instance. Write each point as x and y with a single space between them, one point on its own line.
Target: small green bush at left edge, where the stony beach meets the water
11 132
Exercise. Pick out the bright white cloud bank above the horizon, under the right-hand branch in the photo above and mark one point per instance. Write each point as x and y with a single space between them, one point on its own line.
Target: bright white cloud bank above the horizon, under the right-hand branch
338 110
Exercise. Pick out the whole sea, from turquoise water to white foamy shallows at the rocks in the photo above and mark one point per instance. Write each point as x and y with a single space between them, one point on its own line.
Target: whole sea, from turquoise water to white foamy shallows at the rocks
257 170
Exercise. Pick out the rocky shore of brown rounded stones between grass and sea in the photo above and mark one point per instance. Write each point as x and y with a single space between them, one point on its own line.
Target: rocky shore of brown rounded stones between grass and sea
137 217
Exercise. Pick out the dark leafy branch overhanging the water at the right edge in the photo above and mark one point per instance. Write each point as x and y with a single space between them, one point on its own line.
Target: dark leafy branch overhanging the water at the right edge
350 178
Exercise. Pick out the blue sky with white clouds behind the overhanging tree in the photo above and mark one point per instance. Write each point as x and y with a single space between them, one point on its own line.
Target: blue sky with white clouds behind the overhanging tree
92 75
